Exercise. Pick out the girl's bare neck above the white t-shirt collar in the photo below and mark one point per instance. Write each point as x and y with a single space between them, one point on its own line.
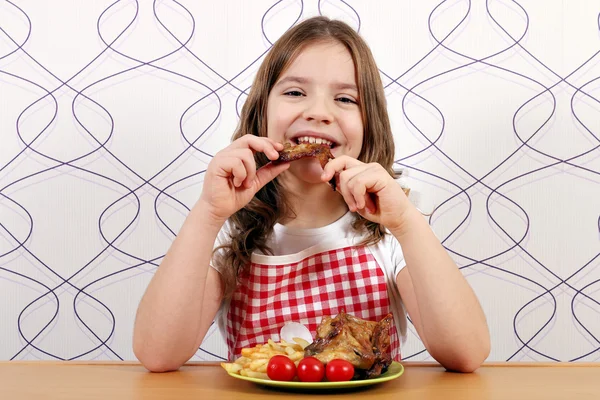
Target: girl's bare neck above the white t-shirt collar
313 206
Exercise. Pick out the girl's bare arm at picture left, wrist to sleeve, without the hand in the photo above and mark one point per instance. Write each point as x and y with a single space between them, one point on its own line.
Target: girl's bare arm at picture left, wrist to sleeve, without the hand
182 298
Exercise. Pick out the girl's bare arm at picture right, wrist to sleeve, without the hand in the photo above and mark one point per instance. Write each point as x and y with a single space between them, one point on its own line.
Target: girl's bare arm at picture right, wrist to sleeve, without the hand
439 300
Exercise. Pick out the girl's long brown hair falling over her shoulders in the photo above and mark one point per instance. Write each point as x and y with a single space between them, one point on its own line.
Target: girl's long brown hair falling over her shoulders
252 225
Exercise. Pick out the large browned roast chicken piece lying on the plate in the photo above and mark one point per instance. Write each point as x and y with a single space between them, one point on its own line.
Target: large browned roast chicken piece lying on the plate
364 344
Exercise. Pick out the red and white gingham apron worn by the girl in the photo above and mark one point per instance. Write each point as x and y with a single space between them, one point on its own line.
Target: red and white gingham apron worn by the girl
323 284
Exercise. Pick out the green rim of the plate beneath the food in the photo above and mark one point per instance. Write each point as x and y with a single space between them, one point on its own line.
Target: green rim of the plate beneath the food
394 371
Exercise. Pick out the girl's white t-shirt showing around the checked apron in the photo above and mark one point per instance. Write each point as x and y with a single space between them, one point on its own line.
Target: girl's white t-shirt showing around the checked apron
291 243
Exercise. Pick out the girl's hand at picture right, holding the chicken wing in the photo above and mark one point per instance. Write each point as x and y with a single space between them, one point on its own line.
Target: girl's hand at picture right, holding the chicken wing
369 190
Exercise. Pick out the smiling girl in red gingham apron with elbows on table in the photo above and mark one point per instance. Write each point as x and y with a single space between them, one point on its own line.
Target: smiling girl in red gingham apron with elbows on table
288 247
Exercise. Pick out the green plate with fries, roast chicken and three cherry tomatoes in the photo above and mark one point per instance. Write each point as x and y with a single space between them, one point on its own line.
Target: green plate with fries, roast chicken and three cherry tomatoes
347 352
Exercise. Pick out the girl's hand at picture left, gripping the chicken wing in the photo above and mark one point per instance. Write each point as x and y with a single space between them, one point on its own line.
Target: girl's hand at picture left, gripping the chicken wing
231 179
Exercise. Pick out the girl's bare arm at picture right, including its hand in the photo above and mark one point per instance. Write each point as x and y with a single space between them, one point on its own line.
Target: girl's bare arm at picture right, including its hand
440 302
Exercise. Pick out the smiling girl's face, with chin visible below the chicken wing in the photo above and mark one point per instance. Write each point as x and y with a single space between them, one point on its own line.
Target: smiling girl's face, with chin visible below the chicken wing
316 100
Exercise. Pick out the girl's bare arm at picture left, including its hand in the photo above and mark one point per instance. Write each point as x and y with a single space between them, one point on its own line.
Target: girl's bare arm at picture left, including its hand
184 295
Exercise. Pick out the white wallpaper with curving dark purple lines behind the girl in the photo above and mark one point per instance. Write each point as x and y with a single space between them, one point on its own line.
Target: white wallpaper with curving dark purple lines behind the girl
111 110
